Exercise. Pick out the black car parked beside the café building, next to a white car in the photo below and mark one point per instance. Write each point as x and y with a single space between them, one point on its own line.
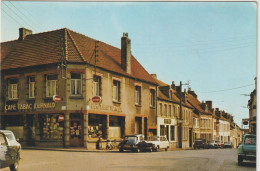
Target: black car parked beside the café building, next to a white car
134 143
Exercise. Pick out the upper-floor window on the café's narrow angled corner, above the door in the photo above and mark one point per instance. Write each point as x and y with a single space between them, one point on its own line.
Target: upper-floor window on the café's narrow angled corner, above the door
75 84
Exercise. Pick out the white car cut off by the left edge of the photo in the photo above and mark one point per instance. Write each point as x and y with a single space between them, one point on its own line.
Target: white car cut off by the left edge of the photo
10 150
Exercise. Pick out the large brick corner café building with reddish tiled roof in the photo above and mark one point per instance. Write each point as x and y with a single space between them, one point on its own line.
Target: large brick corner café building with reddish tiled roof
37 67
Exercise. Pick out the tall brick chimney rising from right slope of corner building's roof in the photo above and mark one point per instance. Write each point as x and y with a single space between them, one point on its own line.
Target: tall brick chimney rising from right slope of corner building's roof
126 53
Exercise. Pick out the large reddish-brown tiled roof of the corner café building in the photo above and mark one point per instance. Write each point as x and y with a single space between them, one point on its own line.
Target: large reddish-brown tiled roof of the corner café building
45 48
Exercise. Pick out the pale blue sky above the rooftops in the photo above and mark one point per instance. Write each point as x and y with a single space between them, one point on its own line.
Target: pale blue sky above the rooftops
211 45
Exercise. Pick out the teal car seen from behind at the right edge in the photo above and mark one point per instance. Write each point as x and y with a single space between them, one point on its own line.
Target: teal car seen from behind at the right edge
247 150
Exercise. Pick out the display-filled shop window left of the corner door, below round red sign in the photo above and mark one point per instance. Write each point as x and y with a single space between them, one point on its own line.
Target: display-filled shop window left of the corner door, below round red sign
50 127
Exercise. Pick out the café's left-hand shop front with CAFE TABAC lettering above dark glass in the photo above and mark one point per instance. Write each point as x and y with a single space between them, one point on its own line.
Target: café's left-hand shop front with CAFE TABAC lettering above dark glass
35 124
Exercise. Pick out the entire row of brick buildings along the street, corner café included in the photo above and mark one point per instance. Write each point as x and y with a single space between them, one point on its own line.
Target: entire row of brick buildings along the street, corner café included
76 68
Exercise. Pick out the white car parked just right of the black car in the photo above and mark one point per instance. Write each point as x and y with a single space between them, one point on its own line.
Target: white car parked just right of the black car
159 142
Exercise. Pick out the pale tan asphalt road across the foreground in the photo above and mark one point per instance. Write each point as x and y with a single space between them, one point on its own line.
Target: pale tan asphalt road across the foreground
210 159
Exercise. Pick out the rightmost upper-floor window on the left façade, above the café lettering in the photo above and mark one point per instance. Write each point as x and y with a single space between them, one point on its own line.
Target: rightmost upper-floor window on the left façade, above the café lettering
51 84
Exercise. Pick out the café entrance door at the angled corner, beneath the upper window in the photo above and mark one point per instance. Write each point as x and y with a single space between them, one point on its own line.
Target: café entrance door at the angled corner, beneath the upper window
76 133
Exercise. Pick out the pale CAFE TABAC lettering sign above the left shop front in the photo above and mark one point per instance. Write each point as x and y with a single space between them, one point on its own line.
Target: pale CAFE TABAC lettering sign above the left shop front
28 106
